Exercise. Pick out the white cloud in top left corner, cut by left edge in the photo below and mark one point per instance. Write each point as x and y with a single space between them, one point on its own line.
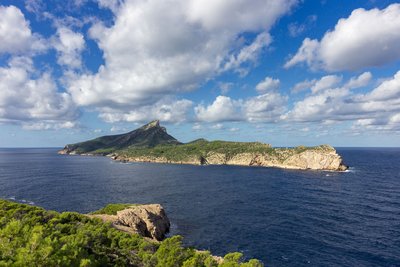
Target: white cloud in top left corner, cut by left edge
15 34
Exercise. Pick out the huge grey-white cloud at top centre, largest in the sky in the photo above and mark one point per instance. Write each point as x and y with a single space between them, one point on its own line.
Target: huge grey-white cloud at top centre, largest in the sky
150 54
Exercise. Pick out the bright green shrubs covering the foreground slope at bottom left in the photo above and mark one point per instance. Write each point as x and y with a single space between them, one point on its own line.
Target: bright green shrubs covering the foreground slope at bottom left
32 236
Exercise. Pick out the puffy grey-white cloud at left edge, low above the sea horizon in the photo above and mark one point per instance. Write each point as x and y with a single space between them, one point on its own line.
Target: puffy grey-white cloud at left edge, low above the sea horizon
32 100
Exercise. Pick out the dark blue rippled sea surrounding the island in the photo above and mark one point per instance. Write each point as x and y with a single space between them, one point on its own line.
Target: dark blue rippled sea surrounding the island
282 217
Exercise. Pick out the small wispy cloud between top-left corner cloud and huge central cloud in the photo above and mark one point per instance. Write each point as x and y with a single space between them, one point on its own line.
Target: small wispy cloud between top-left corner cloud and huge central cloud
69 45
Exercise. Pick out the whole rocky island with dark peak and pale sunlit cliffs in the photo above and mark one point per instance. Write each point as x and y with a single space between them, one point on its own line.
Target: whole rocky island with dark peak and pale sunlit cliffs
152 143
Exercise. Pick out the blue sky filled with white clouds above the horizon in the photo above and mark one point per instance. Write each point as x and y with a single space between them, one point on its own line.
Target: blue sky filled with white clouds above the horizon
284 72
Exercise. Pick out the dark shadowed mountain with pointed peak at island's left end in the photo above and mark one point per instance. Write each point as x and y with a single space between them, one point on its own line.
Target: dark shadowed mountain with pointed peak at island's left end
149 135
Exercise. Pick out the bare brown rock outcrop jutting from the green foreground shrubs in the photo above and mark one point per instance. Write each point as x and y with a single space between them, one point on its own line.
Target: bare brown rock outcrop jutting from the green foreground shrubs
146 220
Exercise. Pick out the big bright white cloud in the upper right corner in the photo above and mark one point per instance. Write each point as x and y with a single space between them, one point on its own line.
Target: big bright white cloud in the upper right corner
366 38
